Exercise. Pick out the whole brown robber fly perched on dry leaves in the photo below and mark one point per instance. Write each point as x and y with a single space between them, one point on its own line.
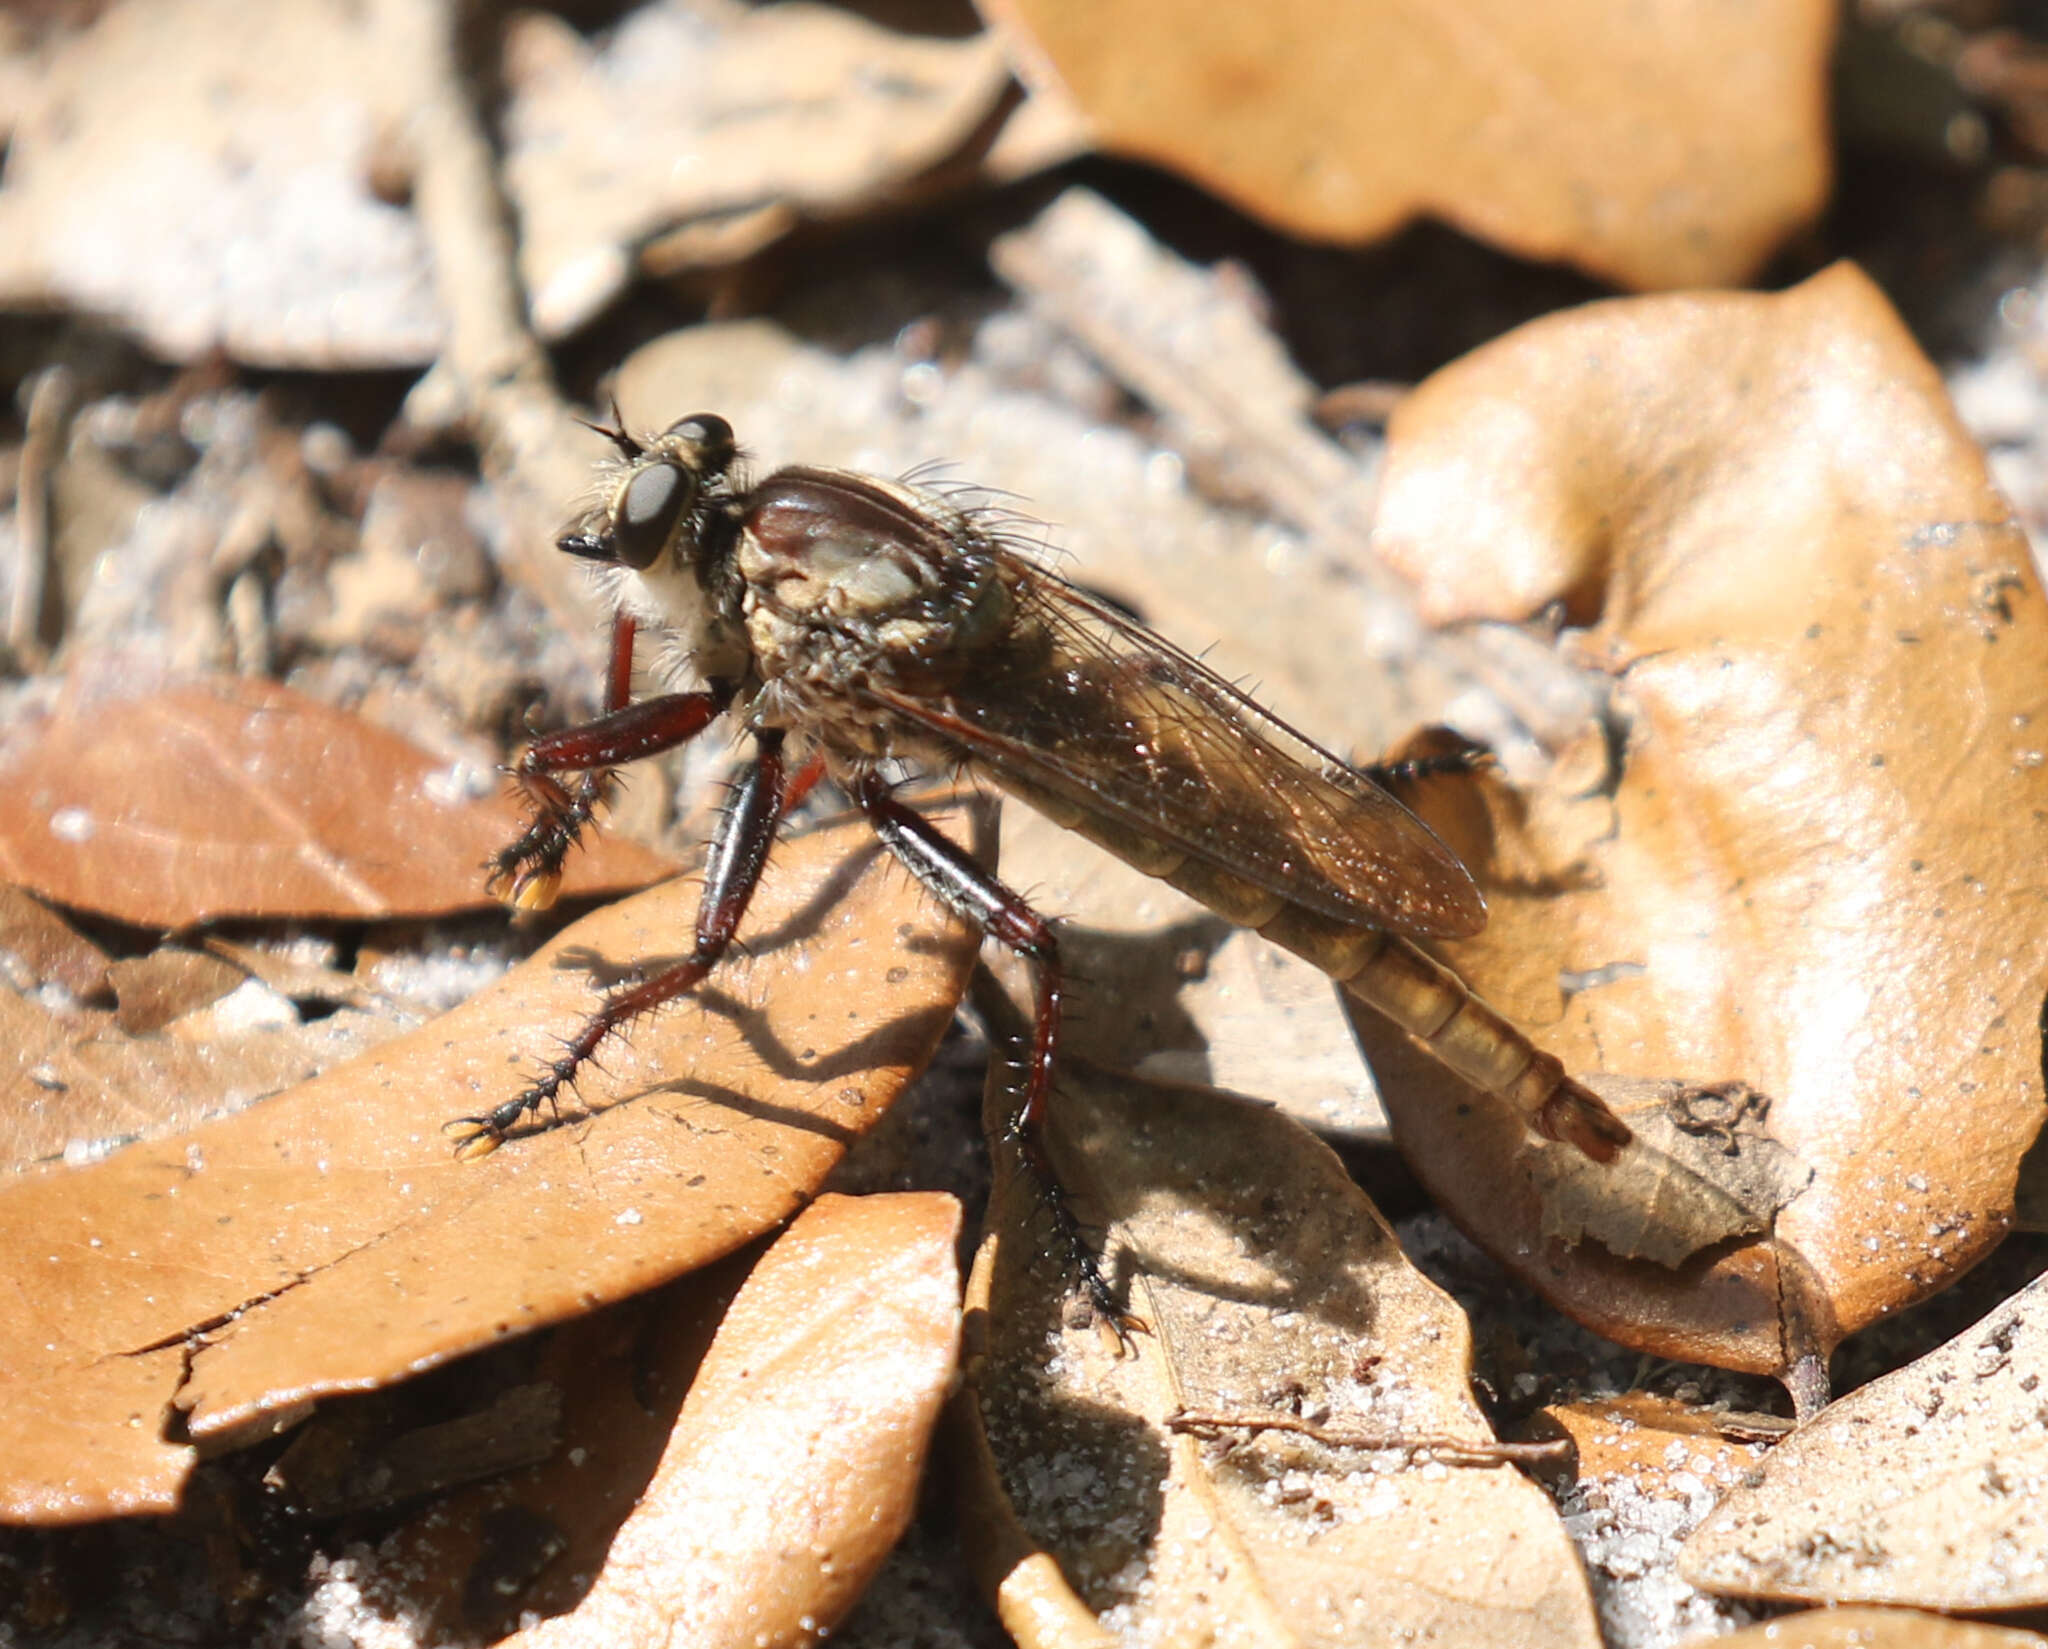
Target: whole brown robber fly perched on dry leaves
853 624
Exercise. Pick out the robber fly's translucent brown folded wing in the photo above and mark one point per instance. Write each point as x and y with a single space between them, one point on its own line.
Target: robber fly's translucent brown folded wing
1093 708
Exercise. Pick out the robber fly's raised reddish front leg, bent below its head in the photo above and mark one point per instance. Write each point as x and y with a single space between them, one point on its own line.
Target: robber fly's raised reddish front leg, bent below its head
529 872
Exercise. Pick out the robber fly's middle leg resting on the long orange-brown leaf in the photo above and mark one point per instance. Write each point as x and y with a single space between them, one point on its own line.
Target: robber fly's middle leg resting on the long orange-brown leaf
732 874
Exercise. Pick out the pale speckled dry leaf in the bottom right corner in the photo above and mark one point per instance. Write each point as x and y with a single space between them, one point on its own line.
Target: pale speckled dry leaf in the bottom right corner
1924 1488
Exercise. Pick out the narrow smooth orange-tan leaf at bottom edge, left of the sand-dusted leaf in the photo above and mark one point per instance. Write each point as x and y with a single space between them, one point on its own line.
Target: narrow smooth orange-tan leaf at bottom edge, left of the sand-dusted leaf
796 1460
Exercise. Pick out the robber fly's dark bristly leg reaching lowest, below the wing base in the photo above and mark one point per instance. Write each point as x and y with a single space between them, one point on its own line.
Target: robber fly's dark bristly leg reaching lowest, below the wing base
972 892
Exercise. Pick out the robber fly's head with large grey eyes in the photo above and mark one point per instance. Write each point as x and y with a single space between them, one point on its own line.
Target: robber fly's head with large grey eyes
660 497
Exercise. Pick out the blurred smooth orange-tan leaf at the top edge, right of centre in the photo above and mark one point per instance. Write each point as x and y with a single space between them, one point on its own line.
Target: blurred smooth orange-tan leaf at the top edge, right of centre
1652 146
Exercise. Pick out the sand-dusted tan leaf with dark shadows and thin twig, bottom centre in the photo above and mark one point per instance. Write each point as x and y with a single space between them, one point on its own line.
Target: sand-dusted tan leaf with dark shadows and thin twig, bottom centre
1316 1500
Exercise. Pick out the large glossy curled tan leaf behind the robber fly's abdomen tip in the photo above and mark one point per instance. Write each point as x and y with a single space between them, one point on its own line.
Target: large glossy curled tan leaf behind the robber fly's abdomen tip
1816 868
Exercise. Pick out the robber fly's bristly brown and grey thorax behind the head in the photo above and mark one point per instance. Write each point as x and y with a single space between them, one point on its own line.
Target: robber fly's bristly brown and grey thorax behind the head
853 581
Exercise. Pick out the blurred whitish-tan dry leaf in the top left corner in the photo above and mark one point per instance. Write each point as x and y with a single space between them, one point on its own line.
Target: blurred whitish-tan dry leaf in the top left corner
202 171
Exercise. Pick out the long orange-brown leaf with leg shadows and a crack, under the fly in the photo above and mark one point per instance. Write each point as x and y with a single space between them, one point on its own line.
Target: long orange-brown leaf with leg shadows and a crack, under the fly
331 1240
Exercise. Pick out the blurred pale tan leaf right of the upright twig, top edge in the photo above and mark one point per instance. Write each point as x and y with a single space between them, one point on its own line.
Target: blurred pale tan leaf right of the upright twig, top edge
720 122
